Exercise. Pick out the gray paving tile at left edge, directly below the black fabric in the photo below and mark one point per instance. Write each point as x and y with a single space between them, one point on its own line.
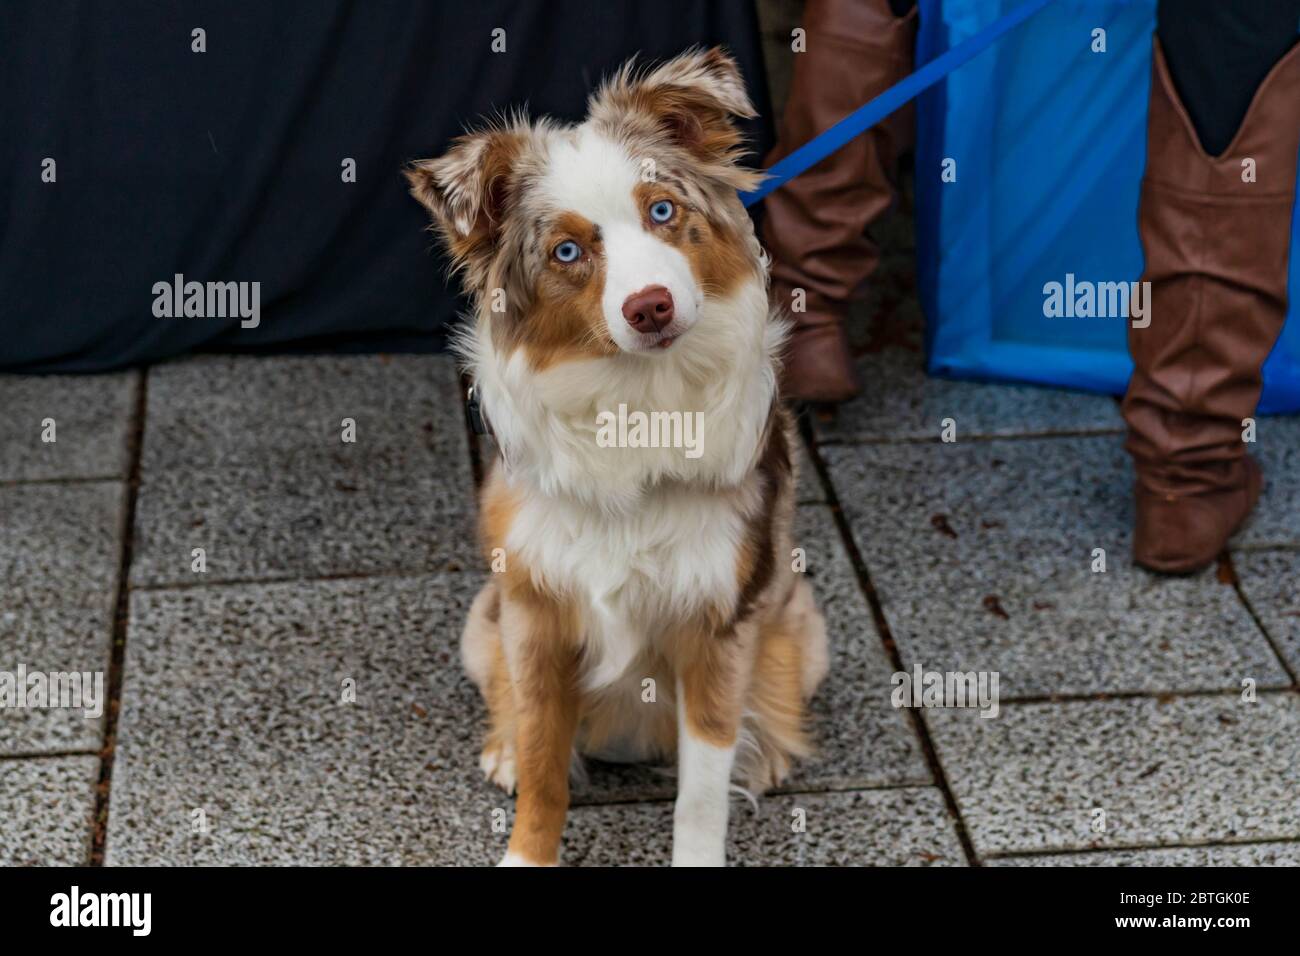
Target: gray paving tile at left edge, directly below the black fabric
93 418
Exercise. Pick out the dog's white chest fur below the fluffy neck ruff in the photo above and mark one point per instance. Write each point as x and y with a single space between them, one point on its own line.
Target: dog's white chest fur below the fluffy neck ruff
634 576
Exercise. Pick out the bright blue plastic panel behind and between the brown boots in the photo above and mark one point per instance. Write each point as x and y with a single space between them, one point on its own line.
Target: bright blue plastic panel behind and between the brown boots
1050 141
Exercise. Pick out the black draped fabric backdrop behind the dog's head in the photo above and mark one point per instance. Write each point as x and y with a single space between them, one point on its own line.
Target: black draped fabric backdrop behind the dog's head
226 166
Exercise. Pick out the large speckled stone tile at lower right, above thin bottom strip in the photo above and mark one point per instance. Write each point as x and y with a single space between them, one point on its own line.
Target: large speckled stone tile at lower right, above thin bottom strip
1163 771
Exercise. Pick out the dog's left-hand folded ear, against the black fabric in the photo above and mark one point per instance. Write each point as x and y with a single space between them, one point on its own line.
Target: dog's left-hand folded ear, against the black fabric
467 192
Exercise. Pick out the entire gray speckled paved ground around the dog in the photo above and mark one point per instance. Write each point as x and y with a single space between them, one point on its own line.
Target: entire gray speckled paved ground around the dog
333 565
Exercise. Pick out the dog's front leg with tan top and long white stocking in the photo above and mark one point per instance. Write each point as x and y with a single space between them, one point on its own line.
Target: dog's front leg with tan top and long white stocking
710 699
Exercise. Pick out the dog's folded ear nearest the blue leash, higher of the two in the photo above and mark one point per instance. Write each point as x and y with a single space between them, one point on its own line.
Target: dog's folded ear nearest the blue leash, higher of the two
692 101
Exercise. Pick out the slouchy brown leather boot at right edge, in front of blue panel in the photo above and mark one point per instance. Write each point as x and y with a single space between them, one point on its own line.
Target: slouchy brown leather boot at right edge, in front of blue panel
1217 245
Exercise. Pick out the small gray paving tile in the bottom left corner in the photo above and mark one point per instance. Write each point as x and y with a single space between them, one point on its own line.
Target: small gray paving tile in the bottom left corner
47 807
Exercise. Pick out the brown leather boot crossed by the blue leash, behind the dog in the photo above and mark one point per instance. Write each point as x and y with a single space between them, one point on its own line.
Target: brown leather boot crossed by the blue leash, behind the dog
814 224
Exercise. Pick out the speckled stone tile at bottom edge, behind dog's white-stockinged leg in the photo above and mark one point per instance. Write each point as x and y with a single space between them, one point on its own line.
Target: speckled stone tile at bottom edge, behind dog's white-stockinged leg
881 828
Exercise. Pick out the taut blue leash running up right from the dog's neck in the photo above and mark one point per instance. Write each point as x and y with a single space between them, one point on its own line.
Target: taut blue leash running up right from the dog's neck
877 110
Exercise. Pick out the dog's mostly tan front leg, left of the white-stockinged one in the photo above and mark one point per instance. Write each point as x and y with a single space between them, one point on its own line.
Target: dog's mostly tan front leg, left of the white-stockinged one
543 659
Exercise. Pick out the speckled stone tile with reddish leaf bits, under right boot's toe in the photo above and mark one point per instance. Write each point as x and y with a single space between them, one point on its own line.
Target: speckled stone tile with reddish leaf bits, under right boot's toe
982 555
